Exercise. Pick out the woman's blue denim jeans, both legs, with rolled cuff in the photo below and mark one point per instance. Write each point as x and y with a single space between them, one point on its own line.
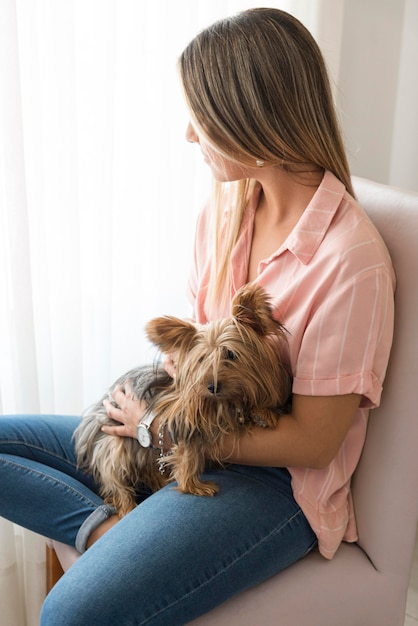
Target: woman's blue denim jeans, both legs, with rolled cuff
173 558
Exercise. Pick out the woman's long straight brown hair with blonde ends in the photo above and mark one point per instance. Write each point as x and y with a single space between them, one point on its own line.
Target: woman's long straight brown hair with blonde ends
258 89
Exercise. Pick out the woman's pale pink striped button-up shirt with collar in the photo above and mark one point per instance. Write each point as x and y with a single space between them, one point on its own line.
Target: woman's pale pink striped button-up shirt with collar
332 286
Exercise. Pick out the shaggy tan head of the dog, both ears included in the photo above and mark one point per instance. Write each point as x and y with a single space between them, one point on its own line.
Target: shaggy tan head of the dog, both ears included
235 360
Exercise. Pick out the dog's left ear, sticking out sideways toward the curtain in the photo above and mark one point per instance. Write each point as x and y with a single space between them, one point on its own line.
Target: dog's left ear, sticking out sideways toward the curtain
171 334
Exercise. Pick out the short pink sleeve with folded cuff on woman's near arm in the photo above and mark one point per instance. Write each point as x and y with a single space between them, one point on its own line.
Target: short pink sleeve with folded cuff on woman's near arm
346 345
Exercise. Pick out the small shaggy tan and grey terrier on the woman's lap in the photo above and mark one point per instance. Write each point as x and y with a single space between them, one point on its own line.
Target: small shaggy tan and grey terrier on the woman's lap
229 378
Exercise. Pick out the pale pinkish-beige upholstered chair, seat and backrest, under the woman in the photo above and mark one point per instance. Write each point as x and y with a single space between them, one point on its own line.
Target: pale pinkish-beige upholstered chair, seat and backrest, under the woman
365 584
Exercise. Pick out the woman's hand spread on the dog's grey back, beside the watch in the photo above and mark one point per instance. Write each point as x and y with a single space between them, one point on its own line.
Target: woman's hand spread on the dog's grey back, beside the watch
129 414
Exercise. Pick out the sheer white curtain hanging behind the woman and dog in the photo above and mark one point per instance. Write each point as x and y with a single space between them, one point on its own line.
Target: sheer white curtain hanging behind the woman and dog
98 198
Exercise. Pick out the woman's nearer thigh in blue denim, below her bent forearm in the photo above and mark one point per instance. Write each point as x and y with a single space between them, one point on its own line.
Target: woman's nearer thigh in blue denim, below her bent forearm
176 556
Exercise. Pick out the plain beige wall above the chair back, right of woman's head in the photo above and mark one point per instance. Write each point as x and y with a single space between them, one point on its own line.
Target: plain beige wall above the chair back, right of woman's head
378 89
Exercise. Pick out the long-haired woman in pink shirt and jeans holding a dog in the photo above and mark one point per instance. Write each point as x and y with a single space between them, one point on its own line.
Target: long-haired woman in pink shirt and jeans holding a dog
282 215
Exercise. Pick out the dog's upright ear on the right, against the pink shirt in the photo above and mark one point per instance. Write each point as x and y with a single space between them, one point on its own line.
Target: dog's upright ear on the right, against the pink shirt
251 306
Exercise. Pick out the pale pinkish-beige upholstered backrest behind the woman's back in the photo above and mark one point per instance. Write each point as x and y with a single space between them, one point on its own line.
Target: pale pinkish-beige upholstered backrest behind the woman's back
385 485
